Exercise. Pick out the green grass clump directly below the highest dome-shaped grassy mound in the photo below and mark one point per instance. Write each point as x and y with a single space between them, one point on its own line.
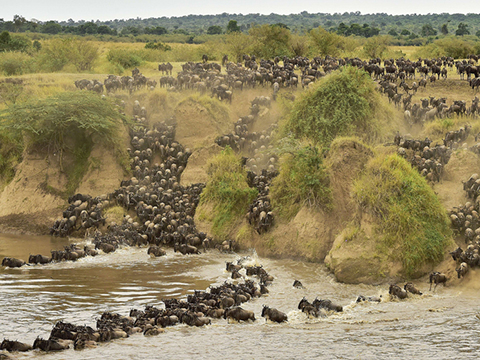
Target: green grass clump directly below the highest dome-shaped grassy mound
303 180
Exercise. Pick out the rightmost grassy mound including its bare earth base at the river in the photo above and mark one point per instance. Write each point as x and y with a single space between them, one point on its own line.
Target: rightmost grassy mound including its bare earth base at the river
400 221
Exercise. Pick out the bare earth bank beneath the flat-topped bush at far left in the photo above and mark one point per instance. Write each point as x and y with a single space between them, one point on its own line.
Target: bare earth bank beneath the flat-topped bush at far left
32 201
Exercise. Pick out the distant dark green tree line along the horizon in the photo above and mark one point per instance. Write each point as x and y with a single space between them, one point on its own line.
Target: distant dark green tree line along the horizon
407 27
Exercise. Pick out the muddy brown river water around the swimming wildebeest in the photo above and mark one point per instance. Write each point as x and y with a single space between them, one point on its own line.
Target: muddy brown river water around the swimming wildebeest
440 325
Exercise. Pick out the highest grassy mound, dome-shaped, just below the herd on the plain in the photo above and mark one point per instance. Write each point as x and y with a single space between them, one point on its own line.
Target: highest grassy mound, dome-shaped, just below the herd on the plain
341 104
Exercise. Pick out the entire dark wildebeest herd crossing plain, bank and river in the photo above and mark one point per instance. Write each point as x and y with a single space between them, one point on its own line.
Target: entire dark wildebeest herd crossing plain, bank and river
165 209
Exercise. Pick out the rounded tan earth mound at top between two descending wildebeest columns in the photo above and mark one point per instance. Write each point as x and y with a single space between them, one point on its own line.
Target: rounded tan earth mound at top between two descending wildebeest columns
200 121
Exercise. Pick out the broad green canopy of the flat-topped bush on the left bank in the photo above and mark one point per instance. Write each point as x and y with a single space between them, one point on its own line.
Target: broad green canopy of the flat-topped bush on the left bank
63 122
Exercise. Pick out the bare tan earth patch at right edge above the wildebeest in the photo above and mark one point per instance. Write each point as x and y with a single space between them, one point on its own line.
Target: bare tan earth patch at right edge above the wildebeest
462 165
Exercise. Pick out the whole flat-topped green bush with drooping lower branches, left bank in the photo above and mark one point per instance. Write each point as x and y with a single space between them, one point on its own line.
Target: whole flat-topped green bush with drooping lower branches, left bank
66 126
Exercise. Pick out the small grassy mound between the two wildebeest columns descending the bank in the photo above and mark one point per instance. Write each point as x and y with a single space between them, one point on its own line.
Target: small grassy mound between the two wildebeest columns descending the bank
226 197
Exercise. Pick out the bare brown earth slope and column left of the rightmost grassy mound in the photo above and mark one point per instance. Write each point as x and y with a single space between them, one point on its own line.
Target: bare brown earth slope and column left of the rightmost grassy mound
311 233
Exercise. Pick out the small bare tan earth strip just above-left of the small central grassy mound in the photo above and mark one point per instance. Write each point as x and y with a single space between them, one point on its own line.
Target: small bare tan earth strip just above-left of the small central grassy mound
196 170
